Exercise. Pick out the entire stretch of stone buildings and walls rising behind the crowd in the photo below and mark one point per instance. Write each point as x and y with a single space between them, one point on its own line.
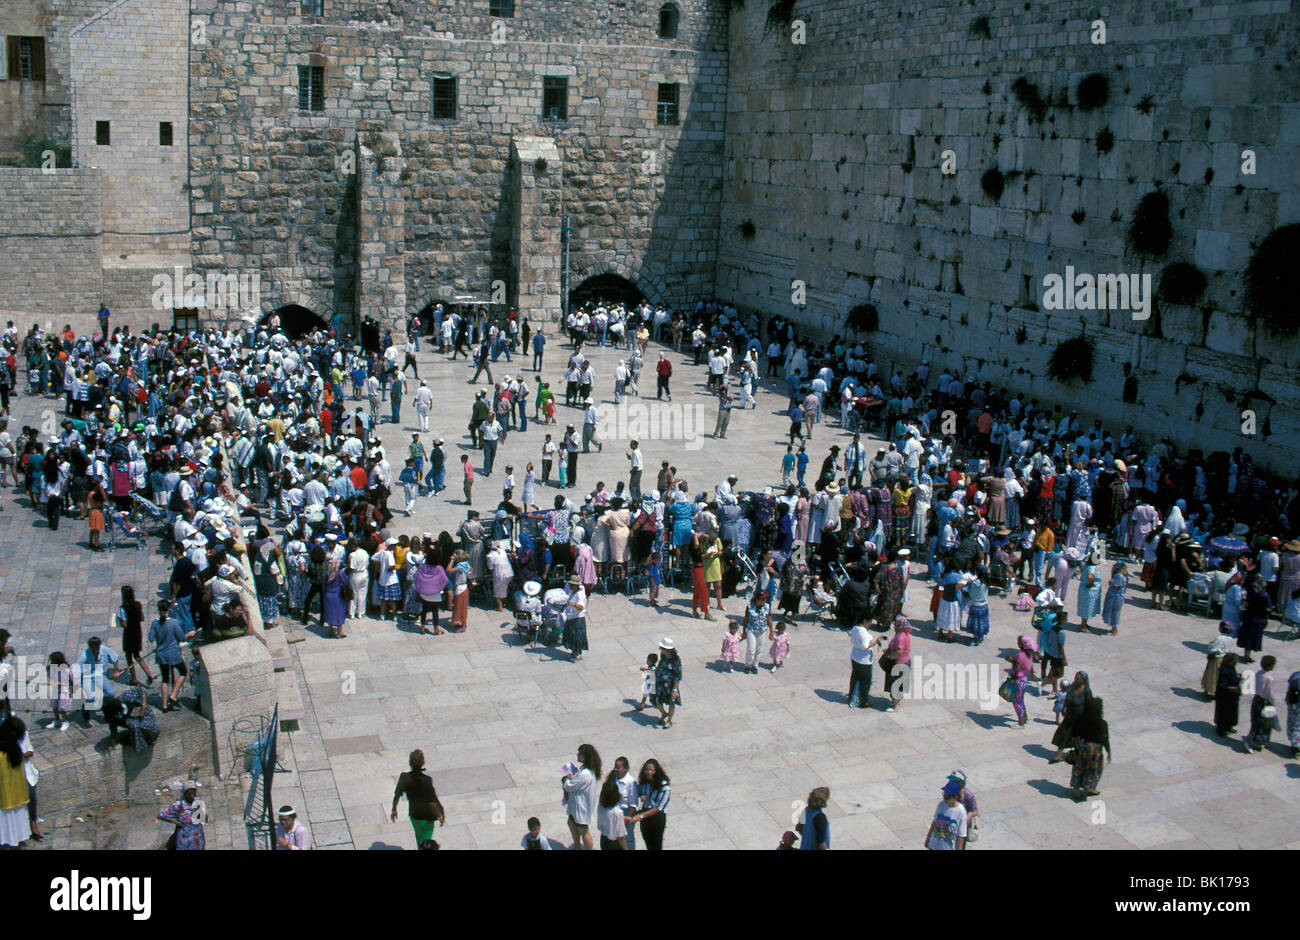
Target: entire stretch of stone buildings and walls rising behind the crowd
931 166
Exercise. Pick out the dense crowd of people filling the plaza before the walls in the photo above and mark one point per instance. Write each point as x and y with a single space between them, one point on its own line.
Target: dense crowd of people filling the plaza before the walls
202 436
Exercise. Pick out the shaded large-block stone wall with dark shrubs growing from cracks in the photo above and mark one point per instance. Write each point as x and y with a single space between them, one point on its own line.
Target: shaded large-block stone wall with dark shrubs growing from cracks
834 153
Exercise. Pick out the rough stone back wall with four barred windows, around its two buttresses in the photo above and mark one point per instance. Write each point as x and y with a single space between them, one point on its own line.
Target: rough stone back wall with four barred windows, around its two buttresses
270 190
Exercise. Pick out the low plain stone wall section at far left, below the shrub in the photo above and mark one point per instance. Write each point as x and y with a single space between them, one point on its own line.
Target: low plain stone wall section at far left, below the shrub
50 226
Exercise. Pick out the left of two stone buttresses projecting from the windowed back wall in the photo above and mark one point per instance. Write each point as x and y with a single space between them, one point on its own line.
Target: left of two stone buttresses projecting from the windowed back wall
382 232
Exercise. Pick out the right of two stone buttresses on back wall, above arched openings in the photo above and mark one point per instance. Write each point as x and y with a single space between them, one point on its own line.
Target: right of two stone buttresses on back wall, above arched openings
538 246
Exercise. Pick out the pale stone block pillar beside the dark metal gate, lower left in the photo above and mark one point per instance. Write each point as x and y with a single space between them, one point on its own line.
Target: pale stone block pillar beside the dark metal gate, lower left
237 682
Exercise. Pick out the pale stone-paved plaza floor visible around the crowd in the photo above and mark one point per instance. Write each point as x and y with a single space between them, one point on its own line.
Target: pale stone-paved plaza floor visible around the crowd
497 721
